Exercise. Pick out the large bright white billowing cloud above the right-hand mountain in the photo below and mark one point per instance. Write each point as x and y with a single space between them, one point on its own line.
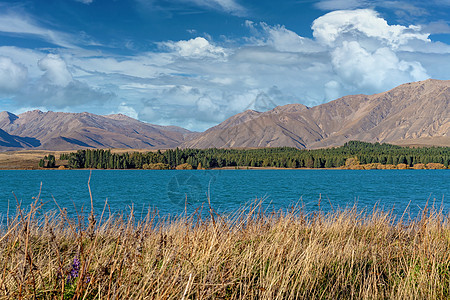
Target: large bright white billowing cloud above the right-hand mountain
363 49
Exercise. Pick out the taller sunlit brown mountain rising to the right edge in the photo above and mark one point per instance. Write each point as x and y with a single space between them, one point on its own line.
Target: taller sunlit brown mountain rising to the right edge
413 113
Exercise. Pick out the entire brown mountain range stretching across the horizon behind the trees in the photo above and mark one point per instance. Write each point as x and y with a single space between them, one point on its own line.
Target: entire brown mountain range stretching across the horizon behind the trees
415 113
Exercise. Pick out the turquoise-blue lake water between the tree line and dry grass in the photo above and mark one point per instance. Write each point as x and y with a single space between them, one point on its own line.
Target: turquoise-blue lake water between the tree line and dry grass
169 191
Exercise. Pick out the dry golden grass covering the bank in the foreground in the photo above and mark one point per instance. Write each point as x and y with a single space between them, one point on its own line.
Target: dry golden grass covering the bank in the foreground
250 254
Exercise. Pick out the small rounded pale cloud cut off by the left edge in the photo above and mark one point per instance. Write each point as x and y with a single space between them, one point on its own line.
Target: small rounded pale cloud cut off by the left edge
12 75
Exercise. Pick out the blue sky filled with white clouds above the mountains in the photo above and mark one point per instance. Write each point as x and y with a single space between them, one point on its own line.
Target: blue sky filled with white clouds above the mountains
194 63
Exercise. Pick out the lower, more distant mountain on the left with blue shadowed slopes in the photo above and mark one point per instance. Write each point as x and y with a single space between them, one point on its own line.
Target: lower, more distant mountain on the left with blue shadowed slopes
67 131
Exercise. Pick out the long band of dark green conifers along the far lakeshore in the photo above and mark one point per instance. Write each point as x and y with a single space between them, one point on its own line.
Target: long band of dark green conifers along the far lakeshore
282 157
